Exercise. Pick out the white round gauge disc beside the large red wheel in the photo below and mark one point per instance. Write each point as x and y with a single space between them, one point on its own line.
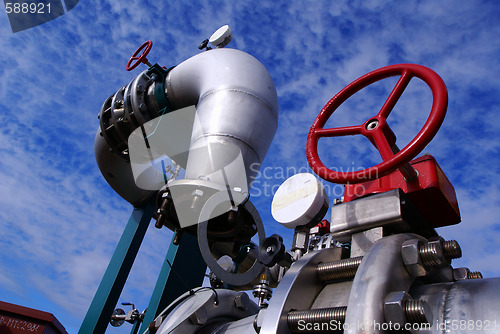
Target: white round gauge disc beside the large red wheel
298 200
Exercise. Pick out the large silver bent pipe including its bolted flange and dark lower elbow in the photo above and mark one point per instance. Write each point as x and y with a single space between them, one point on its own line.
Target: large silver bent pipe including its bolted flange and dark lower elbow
235 122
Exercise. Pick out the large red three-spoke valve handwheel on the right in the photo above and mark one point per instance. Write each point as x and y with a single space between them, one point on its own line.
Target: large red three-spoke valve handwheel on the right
376 128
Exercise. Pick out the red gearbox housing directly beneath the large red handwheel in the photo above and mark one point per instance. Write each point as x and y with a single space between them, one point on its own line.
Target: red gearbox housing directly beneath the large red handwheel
432 193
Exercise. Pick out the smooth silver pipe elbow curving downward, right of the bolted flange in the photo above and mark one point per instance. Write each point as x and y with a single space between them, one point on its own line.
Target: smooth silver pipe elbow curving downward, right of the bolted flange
237 112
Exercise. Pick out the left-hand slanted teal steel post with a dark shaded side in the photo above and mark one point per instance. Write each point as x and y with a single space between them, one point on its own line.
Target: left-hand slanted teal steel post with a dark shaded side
99 313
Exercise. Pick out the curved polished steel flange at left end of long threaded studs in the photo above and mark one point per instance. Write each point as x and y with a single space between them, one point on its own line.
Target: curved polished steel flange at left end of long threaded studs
297 290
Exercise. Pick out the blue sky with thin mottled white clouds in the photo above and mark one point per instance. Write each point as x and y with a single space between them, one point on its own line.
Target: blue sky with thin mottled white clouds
60 221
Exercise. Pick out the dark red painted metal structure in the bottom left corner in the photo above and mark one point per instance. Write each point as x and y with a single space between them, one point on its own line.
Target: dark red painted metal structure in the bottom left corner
18 319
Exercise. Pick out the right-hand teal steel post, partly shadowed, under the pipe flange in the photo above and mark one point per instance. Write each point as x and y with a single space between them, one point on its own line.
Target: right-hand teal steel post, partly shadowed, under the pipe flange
183 269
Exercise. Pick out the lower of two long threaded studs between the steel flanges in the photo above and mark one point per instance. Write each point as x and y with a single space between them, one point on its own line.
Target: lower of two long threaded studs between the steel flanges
321 315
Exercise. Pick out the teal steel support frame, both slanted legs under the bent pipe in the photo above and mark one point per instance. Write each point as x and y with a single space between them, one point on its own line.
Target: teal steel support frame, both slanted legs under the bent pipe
186 272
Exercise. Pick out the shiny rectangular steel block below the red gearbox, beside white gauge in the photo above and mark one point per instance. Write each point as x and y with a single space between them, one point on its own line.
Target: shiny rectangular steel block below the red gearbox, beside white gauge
366 213
